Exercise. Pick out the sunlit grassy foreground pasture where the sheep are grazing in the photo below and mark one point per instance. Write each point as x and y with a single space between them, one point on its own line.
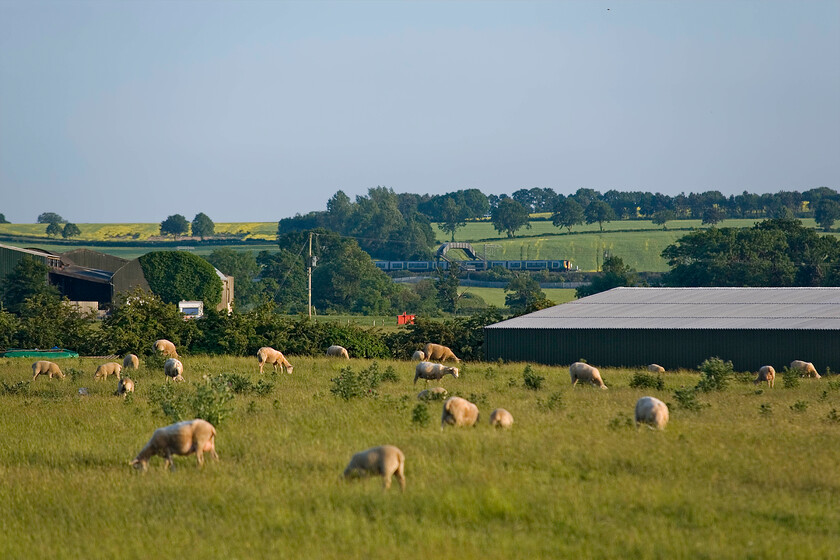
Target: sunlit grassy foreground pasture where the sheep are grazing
751 475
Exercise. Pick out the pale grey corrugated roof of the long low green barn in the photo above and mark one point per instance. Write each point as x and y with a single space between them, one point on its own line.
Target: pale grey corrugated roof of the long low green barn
691 308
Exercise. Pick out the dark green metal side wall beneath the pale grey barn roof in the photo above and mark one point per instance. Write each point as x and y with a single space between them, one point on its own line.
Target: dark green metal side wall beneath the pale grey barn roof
679 348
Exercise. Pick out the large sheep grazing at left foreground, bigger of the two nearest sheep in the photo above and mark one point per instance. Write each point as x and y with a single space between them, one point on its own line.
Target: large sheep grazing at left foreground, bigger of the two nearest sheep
183 438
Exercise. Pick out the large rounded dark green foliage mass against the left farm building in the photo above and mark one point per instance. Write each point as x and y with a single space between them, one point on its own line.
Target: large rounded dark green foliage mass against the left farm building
178 275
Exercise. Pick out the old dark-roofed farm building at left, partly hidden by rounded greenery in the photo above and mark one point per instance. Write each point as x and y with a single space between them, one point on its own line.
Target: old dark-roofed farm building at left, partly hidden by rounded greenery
83 275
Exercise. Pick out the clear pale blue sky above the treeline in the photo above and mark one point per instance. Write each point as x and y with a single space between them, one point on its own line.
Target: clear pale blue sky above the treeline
131 111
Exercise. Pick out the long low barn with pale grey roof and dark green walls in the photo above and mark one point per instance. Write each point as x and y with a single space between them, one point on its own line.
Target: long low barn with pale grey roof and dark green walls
678 328
